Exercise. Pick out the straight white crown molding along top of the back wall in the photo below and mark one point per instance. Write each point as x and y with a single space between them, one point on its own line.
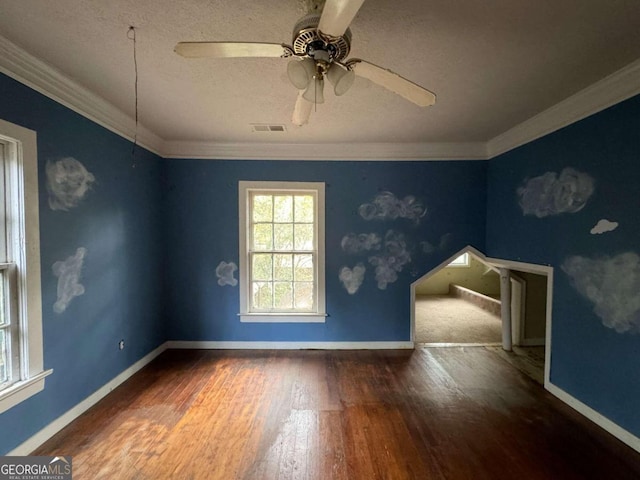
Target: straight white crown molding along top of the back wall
326 151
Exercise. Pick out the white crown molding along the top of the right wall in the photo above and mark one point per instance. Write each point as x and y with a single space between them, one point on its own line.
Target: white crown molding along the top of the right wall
617 87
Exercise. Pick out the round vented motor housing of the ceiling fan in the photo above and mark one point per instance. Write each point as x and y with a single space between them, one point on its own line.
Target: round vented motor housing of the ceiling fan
308 42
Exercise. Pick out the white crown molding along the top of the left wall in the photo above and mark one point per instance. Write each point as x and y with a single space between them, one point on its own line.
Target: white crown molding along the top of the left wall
27 69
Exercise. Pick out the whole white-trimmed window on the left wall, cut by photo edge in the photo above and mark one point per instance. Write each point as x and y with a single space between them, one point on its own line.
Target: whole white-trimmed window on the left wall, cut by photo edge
21 363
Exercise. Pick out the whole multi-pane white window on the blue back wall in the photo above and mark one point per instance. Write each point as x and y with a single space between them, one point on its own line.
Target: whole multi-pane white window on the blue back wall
281 252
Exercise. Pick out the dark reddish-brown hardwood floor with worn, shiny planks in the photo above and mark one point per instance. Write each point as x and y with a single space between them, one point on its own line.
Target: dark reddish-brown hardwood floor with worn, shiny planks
441 413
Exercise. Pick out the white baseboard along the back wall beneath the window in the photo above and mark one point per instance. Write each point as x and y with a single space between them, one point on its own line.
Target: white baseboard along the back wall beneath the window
290 345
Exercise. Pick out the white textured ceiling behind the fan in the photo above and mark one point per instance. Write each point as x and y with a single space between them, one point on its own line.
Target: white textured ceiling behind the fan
493 64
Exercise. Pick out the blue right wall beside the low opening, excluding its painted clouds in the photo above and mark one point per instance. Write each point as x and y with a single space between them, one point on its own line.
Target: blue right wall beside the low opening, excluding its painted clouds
595 363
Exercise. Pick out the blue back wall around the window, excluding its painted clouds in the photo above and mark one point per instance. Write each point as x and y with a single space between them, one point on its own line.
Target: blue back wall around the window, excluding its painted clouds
202 215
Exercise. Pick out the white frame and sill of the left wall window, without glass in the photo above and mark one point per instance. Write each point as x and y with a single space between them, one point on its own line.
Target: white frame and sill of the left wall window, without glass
23 249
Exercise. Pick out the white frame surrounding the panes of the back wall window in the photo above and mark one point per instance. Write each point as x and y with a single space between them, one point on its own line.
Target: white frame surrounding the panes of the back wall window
245 188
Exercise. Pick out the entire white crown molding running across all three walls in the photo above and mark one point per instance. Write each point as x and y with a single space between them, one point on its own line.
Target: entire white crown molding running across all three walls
27 69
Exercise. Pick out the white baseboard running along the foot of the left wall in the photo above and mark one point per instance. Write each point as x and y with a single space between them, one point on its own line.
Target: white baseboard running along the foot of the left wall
59 423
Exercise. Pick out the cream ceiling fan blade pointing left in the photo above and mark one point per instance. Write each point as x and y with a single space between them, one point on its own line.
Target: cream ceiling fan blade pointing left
230 49
